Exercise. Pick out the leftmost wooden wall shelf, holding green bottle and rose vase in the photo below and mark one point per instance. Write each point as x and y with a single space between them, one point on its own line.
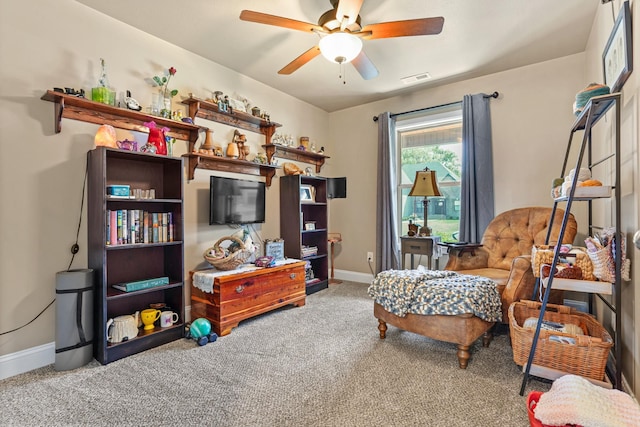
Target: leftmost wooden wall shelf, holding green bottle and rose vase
76 108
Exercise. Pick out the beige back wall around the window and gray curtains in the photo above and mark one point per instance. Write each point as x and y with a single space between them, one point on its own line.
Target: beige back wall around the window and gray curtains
531 120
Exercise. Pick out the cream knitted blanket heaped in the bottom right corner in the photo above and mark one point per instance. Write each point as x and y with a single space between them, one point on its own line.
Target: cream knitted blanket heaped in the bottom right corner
574 400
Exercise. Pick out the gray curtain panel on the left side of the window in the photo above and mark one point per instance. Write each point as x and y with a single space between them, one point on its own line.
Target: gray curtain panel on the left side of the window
387 241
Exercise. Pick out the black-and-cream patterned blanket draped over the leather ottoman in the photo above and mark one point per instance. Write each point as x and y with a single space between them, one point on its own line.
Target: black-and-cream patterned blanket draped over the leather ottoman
429 292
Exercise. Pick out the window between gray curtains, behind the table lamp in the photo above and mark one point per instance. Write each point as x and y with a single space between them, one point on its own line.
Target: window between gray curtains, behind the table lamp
433 139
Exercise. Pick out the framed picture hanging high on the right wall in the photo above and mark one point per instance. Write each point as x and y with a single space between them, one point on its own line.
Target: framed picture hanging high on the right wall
617 60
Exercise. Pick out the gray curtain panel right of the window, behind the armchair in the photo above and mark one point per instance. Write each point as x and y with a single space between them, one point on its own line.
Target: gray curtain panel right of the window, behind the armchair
476 189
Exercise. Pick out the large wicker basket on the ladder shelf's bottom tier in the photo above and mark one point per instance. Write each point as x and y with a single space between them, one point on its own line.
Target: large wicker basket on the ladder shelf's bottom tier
587 358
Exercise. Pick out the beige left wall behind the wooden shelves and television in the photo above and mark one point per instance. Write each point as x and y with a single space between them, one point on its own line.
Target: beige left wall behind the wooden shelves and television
45 44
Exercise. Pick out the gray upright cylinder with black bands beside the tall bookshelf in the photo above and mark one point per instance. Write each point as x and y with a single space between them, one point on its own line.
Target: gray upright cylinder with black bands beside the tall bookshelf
74 319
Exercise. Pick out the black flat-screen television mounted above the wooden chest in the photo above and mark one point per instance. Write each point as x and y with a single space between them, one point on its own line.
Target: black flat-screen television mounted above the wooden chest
236 201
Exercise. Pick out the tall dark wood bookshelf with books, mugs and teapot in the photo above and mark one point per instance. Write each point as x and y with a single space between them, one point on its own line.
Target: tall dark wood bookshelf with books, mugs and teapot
135 261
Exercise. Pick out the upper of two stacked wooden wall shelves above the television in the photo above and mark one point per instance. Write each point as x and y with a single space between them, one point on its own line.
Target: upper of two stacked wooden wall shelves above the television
209 110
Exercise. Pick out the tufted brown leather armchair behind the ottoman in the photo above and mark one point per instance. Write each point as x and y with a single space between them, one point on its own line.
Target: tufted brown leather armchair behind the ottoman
505 255
